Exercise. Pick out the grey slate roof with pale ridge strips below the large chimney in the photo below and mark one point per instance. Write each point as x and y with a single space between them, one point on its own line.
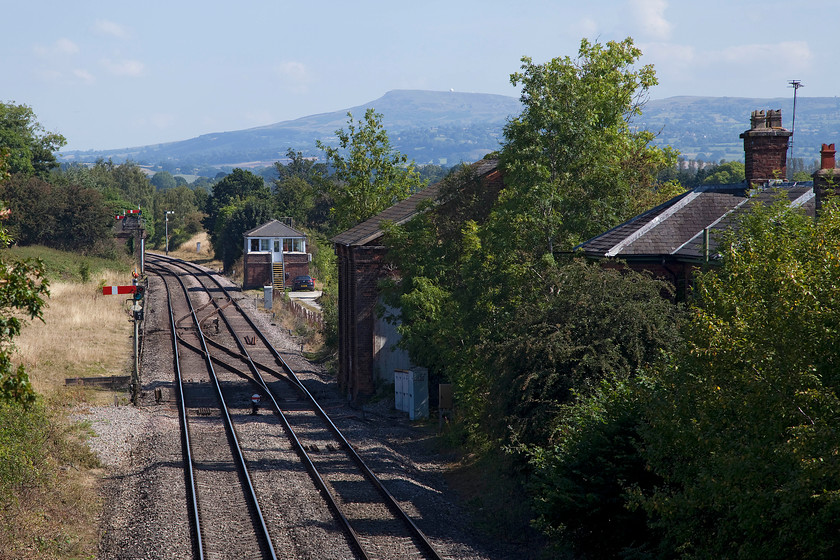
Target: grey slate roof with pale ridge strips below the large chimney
674 229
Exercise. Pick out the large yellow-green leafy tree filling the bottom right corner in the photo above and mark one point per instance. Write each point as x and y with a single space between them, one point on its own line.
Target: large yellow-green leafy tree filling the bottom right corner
743 427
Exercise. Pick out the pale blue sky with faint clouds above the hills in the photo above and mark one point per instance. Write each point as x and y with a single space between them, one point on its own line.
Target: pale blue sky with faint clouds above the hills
109 74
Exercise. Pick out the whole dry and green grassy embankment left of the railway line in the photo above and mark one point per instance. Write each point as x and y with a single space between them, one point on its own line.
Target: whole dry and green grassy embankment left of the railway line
48 479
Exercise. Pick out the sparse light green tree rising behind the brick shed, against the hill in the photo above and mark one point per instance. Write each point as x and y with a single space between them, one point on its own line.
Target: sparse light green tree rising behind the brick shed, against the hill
368 175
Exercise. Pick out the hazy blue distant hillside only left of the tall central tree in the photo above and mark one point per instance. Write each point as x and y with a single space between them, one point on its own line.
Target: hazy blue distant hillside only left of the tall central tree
429 127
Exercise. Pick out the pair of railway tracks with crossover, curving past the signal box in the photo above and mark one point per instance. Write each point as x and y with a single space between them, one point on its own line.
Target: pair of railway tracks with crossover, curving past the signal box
228 359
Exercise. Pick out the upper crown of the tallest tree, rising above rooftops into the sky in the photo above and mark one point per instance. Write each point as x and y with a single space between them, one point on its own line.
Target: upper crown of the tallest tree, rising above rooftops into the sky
572 161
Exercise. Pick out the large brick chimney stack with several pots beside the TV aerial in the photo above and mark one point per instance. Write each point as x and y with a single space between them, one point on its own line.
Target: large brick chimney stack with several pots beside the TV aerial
765 147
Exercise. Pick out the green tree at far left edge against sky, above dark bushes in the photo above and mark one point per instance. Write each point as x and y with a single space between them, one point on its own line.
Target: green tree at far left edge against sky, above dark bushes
29 147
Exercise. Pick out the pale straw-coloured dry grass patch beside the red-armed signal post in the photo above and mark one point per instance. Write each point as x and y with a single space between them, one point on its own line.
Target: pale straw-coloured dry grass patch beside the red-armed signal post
83 334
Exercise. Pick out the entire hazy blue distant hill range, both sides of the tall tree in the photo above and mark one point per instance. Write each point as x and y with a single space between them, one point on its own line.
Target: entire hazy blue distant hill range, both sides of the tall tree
449 127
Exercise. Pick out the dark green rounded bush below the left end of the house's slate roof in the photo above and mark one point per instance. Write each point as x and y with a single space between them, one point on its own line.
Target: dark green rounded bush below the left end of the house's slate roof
581 325
